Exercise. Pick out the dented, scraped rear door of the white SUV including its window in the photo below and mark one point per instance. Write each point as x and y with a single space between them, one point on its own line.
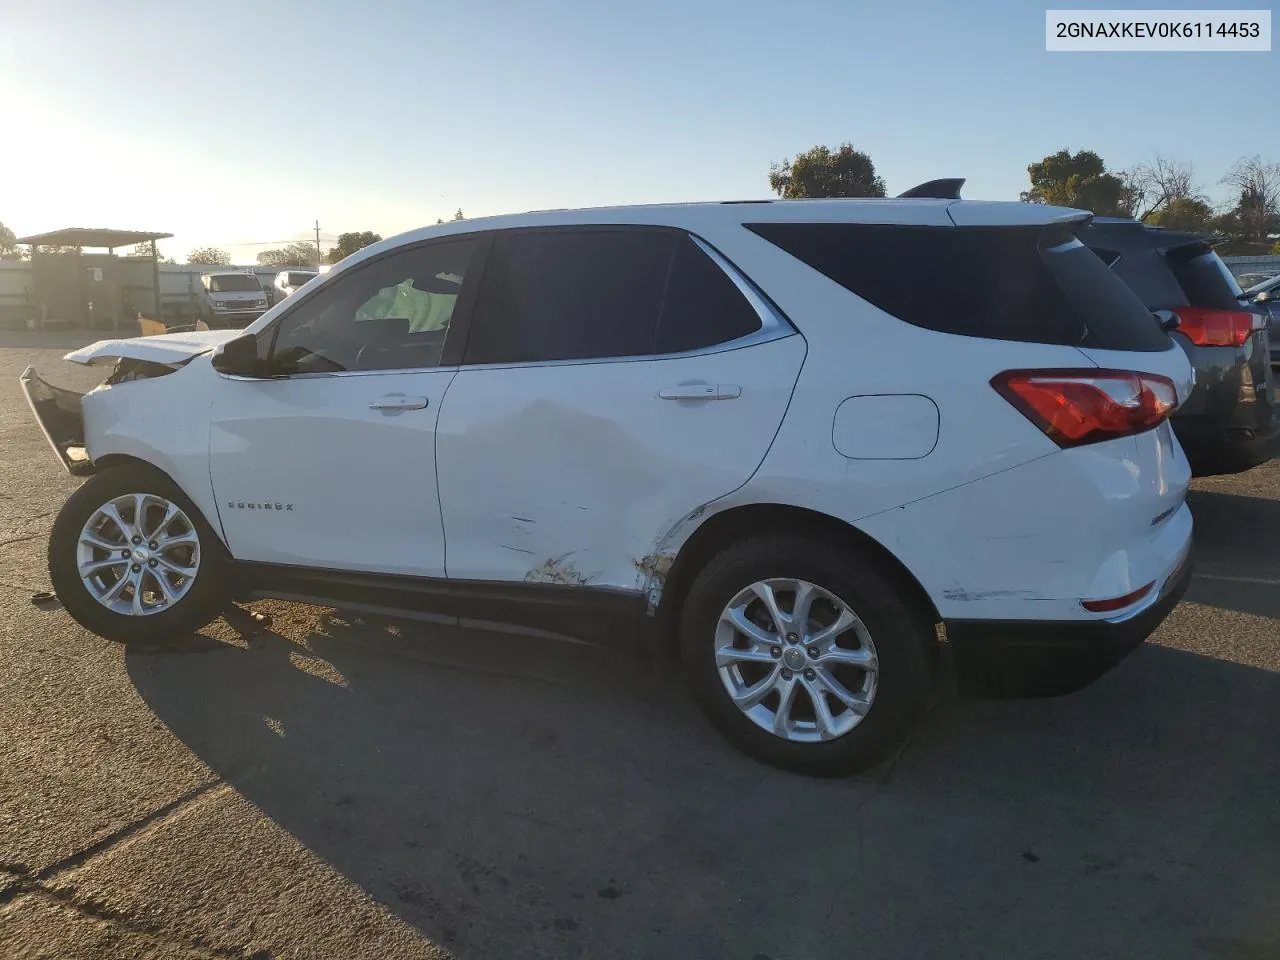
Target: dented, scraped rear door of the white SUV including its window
572 469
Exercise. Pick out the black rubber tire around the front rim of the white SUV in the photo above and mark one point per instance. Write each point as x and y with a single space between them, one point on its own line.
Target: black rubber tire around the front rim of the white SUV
203 602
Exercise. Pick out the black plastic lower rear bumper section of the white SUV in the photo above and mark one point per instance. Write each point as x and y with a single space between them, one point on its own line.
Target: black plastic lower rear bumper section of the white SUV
1049 659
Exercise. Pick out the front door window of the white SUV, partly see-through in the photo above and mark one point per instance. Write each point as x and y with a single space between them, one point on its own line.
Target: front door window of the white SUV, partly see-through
392 314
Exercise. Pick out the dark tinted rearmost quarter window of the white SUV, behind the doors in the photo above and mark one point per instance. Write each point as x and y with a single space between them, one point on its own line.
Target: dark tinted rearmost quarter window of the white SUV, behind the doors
1011 284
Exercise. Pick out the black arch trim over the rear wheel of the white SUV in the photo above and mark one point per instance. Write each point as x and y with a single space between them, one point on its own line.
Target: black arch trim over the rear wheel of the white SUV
739 523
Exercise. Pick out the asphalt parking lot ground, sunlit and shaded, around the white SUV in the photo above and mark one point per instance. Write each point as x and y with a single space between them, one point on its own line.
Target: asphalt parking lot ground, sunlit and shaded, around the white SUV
331 787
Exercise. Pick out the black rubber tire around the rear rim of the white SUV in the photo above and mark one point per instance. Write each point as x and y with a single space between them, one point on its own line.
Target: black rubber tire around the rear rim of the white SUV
900 633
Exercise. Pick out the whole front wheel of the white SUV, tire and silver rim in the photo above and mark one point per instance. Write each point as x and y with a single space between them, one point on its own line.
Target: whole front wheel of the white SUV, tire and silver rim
198 600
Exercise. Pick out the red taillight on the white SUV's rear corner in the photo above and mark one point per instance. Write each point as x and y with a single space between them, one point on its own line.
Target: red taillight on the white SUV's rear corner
1087 406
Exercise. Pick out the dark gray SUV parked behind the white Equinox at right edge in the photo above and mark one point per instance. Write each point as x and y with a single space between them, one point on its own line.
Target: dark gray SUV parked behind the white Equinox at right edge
1229 423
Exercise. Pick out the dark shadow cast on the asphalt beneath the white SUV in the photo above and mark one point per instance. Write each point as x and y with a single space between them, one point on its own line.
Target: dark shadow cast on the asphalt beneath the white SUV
516 797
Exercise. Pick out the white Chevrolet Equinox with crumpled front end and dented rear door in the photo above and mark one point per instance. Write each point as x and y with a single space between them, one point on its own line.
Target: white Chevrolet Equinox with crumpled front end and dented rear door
815 441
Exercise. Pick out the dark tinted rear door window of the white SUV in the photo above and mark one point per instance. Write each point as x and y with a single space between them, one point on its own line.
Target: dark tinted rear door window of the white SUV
604 294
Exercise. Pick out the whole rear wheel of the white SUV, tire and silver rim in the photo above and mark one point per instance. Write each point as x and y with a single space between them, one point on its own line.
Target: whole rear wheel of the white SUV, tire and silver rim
895 637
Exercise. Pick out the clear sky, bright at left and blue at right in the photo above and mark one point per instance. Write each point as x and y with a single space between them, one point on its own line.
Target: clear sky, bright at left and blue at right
237 122
